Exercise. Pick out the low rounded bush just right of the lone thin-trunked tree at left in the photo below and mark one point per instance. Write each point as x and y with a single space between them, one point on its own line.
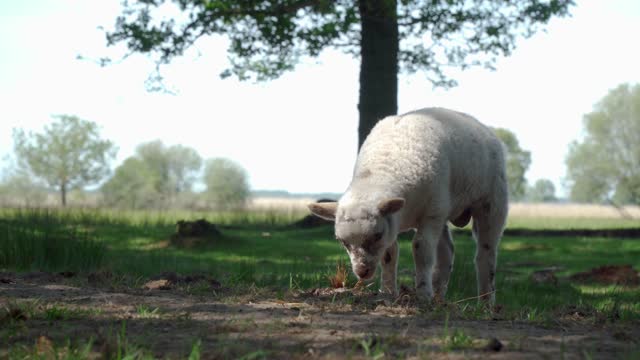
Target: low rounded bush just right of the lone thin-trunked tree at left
132 186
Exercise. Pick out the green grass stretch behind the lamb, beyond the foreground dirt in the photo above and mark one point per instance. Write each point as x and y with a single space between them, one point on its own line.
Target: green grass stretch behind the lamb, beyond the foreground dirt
260 249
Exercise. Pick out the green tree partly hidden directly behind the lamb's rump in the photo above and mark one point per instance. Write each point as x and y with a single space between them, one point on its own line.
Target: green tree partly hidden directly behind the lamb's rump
518 161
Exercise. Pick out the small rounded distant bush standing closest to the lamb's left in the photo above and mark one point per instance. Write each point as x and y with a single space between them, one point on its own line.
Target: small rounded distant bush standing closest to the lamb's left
227 184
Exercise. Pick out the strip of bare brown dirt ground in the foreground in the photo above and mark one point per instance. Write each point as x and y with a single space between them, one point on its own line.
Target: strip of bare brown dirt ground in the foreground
167 317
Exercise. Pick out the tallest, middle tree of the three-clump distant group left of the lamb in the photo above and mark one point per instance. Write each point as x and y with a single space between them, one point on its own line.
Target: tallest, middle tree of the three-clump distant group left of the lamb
175 168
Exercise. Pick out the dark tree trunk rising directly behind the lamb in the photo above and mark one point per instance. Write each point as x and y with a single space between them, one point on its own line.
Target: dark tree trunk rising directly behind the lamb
379 63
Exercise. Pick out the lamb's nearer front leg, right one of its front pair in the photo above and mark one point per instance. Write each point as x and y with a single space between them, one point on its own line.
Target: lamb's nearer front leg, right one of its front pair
425 243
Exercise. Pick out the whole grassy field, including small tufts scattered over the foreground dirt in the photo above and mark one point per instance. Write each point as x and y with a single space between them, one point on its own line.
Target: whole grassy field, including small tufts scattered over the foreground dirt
261 253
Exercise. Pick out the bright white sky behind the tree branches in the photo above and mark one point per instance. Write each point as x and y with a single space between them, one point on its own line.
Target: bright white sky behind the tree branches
298 133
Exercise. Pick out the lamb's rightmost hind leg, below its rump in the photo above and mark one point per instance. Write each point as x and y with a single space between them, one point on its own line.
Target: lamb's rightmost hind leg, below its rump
488 224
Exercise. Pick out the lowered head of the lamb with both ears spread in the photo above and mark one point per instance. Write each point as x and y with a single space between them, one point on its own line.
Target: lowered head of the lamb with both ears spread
364 231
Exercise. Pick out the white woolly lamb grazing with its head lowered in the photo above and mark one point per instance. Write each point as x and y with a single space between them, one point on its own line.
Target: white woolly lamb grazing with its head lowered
418 171
